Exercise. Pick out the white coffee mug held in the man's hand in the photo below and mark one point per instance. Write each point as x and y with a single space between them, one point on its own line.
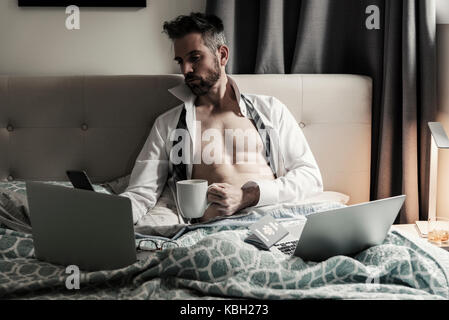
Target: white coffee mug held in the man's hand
192 197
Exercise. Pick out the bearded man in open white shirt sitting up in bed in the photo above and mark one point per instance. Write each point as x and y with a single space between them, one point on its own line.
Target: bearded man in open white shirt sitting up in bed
282 167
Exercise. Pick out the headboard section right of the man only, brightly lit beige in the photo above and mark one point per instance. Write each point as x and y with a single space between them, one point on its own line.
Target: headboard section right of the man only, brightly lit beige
334 112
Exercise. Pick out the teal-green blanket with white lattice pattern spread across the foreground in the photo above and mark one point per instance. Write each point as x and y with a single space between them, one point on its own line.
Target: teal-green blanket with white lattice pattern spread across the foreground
214 262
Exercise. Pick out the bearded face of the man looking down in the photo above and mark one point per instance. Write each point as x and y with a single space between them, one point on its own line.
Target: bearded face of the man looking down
200 67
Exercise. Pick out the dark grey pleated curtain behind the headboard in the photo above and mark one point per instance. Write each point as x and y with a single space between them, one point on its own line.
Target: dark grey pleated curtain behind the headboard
330 36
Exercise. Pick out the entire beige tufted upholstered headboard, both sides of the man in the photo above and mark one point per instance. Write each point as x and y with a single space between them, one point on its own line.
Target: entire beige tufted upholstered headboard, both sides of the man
99 123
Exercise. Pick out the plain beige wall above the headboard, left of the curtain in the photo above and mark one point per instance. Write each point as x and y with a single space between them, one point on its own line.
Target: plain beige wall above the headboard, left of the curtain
110 40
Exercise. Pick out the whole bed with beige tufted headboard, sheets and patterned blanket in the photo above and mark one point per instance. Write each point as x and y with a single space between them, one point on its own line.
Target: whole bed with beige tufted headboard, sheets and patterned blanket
99 124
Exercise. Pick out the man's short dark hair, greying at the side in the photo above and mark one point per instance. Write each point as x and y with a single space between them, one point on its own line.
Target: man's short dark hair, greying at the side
208 25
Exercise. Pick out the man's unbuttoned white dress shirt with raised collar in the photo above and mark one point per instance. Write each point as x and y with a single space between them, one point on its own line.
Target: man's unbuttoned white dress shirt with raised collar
297 172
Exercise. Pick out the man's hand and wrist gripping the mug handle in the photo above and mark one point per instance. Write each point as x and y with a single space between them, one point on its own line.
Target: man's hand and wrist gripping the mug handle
228 199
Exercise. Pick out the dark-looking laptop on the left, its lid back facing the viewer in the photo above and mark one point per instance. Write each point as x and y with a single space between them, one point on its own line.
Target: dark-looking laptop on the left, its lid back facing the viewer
91 230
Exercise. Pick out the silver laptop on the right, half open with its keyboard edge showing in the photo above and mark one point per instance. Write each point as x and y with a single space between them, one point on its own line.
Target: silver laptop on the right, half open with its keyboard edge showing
342 231
